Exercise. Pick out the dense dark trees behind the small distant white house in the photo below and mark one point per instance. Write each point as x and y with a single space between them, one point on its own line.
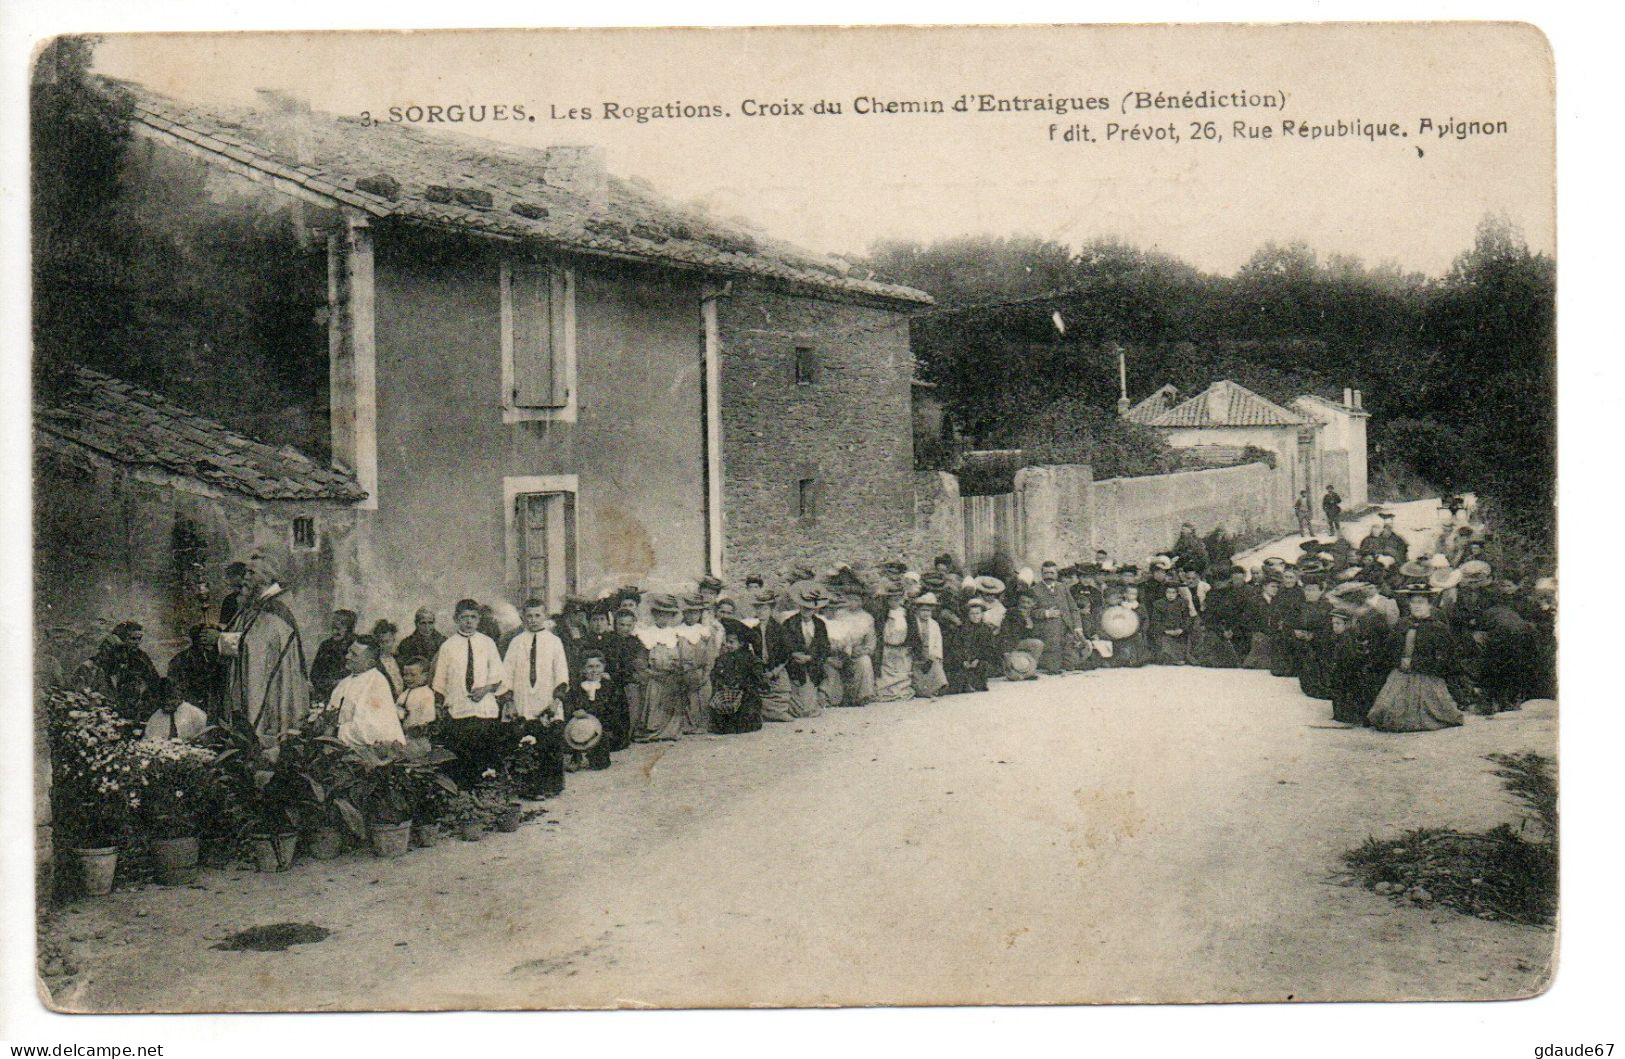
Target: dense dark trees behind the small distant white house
1458 371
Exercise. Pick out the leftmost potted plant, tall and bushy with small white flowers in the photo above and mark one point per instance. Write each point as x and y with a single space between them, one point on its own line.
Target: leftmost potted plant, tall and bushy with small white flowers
93 780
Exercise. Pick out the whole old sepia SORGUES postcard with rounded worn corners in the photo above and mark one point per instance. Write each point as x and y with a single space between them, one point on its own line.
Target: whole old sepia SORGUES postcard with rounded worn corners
795 517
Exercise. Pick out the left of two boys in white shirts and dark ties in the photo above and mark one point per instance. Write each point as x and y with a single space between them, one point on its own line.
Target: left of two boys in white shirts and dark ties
469 676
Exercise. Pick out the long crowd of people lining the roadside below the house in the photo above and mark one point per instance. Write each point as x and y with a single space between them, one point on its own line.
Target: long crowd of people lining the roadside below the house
1393 641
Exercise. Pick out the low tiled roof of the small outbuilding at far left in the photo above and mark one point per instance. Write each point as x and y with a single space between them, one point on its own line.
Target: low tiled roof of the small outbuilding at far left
141 428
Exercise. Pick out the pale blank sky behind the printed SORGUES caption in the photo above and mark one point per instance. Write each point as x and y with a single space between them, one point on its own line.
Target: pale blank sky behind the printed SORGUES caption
843 183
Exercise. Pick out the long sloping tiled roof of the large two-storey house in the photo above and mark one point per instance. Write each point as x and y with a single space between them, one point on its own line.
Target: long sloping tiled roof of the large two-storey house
466 183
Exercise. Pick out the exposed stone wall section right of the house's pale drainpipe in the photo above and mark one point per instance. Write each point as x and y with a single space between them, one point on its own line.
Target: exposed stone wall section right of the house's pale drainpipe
846 428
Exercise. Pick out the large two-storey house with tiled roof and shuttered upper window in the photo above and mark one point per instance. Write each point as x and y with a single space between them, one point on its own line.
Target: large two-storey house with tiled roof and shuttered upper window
542 379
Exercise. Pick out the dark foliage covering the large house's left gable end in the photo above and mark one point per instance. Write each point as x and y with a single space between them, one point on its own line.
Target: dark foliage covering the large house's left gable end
210 292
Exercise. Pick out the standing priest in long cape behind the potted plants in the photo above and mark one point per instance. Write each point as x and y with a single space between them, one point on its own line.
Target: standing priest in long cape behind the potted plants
267 686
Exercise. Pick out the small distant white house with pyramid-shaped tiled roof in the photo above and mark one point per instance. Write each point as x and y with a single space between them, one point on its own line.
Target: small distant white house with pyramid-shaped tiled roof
1314 444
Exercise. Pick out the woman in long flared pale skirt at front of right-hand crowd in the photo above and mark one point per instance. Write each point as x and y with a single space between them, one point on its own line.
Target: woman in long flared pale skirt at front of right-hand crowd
1416 696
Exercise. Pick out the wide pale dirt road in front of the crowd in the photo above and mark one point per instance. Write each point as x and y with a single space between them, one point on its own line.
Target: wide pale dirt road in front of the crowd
1158 834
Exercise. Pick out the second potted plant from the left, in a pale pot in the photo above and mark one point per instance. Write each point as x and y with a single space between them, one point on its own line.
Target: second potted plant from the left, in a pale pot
175 789
